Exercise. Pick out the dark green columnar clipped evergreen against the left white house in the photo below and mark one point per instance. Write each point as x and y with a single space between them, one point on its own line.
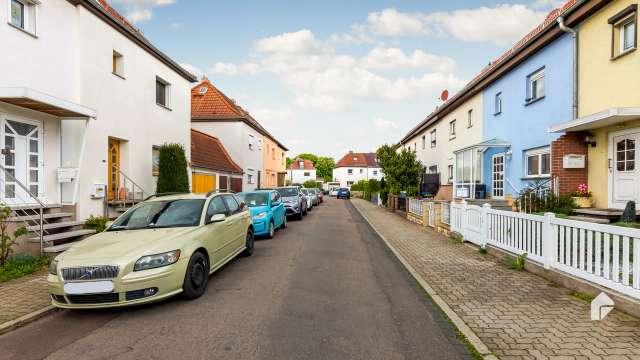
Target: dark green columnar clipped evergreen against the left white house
172 174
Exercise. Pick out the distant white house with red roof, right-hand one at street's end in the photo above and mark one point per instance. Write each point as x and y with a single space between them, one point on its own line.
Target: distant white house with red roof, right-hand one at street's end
354 167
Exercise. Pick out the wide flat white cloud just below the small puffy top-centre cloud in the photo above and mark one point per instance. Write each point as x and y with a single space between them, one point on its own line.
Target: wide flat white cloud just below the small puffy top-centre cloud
393 58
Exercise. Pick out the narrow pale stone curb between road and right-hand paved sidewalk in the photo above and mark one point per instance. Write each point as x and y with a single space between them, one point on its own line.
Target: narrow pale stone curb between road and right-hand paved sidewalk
473 339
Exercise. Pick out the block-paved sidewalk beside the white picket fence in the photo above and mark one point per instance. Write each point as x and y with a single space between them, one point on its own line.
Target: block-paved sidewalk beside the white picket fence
516 314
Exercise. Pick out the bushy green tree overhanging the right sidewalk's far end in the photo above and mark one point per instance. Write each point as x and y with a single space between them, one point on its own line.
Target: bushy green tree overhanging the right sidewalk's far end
402 170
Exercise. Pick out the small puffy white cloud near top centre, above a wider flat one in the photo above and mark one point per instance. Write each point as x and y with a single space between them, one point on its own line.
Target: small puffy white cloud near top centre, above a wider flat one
390 22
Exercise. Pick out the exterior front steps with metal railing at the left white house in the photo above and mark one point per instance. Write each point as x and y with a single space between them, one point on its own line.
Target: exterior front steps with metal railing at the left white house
59 228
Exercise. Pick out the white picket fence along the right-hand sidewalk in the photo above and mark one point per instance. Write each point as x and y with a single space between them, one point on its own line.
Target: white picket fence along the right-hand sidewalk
606 255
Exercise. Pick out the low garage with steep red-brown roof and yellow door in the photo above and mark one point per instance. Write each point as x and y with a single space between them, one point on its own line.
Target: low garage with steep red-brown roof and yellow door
212 166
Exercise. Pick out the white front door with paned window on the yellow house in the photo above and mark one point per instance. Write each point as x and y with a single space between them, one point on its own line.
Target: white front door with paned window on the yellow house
625 175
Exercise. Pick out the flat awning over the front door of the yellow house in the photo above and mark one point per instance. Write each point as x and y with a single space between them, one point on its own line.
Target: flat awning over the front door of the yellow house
608 117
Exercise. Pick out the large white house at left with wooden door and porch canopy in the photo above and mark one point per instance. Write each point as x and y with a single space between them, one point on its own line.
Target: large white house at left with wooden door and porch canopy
85 100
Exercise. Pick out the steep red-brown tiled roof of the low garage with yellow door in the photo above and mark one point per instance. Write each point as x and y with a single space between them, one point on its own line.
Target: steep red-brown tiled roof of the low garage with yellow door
208 152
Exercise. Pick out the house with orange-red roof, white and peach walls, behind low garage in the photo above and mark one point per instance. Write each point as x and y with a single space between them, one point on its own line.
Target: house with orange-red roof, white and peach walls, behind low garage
213 113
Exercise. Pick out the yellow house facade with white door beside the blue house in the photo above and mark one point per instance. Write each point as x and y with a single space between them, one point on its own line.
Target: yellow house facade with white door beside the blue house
604 138
